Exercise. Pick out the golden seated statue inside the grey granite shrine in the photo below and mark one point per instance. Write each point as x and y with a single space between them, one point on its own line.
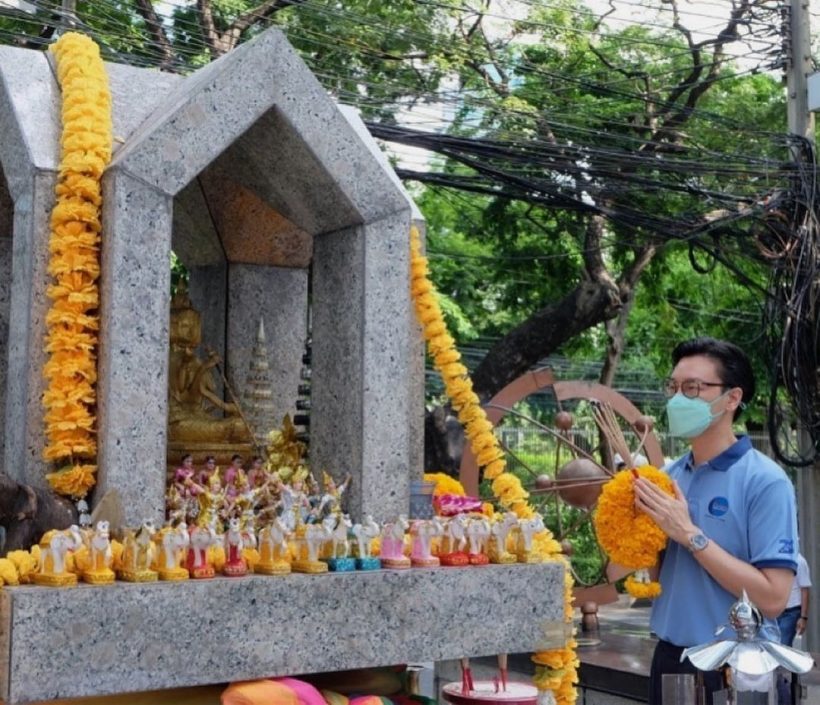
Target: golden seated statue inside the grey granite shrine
197 417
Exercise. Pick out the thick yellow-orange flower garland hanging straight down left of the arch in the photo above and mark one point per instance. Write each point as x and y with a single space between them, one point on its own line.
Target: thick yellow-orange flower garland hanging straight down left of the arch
72 321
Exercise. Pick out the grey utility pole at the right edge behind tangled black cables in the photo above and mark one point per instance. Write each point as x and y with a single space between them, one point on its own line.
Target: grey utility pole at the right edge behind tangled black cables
801 123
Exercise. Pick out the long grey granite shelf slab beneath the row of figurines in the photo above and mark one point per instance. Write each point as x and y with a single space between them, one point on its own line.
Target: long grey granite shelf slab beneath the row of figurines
97 640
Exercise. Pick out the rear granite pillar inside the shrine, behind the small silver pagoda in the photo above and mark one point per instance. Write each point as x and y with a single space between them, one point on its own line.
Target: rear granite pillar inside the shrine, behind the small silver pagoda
278 296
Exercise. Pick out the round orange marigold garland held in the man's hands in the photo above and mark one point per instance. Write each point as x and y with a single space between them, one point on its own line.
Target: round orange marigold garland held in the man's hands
630 537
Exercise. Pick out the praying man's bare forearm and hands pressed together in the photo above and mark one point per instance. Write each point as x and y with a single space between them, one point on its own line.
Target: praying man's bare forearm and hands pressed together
767 588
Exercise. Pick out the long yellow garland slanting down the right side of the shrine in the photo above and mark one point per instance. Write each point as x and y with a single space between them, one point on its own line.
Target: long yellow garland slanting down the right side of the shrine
556 669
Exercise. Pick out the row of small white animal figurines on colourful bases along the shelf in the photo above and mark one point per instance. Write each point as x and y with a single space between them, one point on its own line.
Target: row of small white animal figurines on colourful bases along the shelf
178 552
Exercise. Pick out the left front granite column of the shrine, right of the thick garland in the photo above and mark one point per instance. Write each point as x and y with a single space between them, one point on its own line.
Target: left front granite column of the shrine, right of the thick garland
132 390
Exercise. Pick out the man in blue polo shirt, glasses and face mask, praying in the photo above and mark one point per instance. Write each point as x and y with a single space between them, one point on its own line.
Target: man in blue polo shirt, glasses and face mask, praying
732 524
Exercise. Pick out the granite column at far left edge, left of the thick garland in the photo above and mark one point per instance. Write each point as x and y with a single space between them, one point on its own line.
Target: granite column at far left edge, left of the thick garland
25 438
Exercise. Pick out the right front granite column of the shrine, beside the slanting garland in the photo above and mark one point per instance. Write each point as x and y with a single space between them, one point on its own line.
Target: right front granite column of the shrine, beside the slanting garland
363 344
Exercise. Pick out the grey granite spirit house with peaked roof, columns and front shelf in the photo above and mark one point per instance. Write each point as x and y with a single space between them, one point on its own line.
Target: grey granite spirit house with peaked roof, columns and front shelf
250 173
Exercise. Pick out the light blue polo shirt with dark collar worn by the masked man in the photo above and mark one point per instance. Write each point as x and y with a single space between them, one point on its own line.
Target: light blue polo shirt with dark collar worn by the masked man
744 502
